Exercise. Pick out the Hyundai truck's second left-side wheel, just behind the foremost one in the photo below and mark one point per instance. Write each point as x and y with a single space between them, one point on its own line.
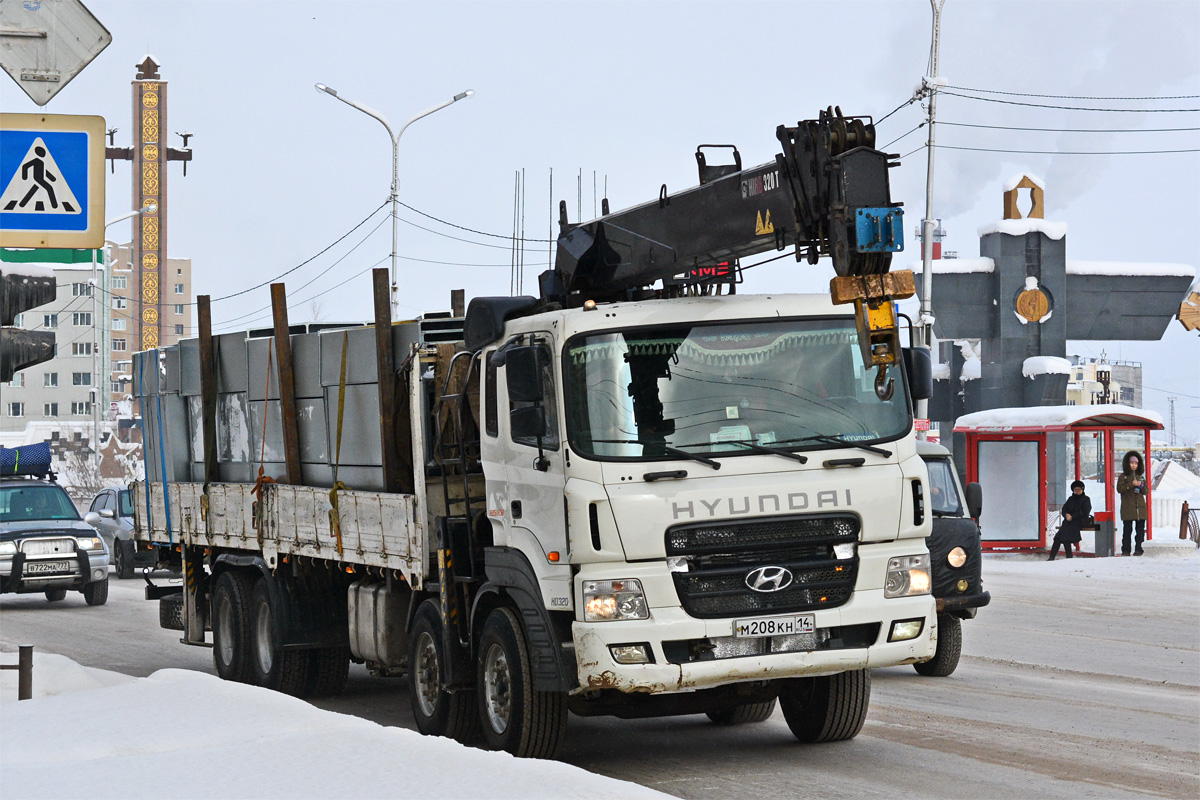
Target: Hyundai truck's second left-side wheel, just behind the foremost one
437 712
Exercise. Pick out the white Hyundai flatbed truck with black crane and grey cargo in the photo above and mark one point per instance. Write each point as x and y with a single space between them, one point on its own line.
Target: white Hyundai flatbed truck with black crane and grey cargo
614 500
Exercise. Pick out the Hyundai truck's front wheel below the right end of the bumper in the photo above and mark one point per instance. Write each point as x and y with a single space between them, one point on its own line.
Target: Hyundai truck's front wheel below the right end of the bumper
830 708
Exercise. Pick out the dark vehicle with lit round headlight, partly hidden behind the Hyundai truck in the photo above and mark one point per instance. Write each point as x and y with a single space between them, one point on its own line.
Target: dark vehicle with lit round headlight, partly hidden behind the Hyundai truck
956 557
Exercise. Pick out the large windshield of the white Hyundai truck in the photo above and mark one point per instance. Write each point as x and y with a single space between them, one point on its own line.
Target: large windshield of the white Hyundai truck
707 388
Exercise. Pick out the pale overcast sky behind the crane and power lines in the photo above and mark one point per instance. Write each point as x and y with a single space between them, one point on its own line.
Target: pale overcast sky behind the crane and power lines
625 92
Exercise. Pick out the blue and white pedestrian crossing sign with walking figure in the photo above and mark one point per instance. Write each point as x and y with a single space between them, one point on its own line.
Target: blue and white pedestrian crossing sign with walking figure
52 181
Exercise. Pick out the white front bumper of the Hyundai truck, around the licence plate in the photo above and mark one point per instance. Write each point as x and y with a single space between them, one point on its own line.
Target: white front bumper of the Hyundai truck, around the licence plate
691 653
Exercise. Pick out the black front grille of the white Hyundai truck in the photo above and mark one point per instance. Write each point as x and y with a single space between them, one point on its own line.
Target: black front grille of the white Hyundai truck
721 557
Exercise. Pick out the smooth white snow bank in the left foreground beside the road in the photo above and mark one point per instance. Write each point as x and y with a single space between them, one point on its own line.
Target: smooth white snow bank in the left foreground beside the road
89 733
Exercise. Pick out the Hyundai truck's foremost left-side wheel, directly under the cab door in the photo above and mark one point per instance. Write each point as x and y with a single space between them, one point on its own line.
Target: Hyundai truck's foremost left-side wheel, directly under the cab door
517 718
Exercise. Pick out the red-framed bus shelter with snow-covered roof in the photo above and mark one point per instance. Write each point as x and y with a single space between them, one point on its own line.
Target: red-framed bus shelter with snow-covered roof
1027 459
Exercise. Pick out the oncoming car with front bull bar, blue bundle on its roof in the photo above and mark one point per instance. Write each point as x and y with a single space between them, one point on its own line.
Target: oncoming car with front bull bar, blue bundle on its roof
45 546
